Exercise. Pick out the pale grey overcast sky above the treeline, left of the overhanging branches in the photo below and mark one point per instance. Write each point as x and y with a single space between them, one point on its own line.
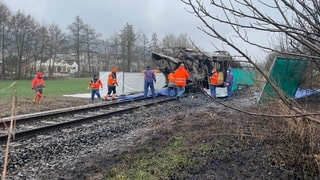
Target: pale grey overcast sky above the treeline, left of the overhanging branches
110 16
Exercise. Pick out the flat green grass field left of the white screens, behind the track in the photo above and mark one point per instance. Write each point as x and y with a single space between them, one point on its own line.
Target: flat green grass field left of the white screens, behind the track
53 87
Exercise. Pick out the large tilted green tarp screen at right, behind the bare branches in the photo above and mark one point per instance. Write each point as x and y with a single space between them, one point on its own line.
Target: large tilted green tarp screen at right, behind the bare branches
286 74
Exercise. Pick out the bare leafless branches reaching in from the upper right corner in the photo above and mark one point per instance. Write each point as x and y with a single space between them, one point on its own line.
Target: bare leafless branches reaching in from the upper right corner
253 18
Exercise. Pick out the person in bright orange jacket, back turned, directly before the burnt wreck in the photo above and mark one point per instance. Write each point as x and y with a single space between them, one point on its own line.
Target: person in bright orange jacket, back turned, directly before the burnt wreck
180 76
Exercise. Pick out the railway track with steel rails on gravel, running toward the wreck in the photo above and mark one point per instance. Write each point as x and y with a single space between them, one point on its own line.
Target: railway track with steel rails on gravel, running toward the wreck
29 125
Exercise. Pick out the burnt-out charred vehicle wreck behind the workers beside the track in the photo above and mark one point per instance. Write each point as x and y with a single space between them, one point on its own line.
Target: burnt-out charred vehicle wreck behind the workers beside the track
199 64
